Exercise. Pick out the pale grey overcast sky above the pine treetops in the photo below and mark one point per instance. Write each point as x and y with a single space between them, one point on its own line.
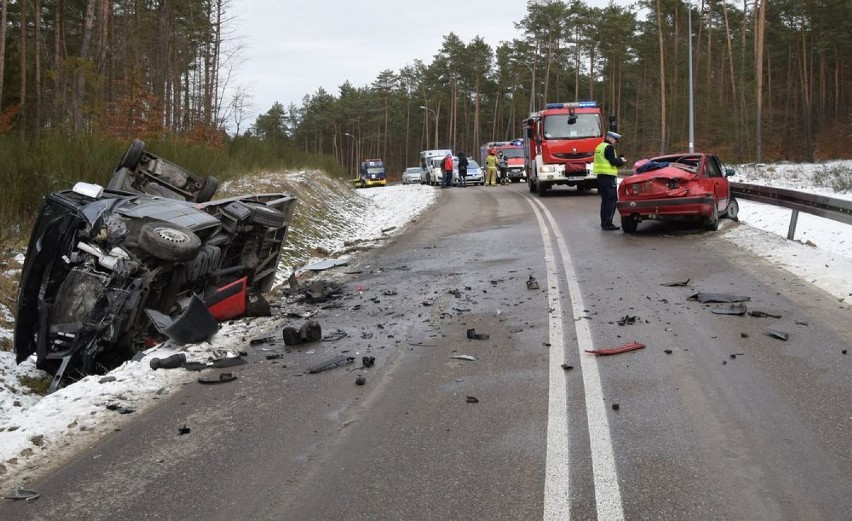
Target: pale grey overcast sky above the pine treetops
290 48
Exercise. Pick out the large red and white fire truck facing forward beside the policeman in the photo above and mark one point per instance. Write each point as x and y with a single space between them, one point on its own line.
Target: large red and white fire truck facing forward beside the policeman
560 144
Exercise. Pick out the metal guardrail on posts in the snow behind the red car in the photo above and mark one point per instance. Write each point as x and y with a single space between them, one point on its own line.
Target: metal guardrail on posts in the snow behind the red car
821 205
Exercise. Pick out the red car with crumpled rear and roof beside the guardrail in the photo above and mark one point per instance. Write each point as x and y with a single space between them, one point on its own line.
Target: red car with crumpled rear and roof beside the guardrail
690 186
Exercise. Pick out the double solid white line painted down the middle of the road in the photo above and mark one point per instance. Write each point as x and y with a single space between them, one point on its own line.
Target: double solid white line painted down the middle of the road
557 492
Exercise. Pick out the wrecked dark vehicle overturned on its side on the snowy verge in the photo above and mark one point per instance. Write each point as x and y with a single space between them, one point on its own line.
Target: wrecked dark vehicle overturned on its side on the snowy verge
111 272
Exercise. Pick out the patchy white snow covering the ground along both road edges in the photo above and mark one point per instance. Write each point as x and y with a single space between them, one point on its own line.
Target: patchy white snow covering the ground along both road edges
35 432
